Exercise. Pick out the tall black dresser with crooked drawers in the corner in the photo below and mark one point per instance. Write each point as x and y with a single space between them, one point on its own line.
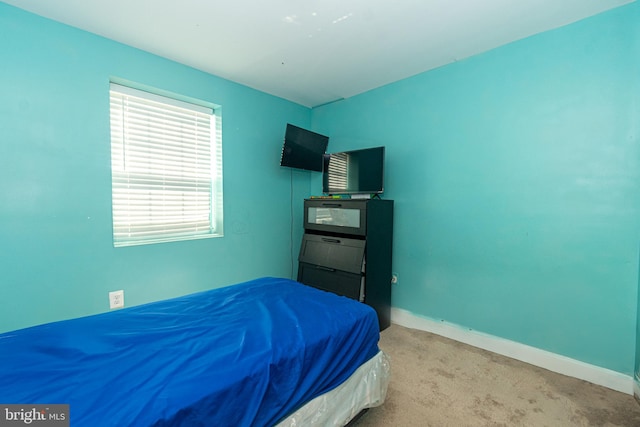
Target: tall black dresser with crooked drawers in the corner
347 249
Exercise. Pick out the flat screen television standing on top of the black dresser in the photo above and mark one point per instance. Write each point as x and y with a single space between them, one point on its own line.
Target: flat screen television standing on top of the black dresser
354 172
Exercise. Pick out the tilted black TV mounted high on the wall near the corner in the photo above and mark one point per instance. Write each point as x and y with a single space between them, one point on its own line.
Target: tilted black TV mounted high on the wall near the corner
303 149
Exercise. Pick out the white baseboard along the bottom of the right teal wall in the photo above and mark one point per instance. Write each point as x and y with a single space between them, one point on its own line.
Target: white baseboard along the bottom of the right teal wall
532 355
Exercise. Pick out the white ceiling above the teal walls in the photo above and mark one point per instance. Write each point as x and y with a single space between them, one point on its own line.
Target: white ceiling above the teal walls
315 51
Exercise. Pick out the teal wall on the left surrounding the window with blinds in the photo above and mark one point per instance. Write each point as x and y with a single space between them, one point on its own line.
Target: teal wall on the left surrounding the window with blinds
57 259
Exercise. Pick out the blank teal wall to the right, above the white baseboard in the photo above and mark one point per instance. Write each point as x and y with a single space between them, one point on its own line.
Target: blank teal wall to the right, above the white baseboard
516 176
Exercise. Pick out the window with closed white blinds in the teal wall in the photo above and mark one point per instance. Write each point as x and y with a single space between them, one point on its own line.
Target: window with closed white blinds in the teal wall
166 169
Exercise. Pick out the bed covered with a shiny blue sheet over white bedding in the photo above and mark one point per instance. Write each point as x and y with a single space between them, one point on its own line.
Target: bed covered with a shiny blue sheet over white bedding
266 352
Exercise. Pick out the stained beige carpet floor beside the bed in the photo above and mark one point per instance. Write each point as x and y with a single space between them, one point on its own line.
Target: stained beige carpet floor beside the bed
440 382
